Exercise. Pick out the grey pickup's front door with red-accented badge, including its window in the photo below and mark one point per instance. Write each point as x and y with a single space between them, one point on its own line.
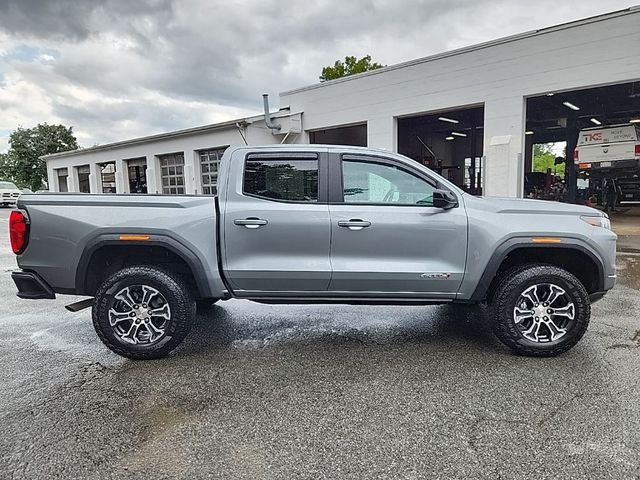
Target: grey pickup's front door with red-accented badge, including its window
386 235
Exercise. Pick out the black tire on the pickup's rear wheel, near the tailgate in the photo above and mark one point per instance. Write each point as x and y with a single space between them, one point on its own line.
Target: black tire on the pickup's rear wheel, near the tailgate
173 291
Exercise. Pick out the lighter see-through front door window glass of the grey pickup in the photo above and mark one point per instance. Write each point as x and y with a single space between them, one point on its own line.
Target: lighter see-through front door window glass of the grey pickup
370 182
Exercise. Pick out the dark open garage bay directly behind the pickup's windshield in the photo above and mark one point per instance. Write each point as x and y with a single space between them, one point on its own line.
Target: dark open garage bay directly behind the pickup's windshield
449 142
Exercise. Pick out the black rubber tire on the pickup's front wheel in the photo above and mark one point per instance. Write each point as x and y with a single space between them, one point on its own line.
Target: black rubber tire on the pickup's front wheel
509 292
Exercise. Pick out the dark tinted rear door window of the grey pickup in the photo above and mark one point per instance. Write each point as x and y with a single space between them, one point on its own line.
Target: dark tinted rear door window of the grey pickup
289 180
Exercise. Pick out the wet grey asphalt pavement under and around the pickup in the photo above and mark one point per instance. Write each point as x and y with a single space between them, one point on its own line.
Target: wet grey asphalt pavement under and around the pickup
318 392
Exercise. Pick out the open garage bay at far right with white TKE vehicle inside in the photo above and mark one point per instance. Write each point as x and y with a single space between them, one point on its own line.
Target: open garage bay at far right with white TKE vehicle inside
559 122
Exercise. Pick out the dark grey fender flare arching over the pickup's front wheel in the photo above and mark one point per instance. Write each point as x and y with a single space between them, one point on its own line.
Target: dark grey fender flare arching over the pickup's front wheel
515 243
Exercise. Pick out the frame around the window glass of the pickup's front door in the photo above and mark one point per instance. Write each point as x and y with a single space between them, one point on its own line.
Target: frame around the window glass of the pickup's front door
337 193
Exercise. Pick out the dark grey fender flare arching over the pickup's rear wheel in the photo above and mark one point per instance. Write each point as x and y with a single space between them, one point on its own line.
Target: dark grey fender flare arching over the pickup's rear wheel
155 239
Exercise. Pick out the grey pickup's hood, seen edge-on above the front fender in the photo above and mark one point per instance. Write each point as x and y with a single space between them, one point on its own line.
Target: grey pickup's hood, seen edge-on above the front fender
532 206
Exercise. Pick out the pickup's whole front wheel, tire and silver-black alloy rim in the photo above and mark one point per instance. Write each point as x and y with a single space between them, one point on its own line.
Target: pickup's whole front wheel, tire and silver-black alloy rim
539 310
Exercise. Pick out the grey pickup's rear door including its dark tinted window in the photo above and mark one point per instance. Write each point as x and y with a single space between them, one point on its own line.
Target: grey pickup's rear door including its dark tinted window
277 231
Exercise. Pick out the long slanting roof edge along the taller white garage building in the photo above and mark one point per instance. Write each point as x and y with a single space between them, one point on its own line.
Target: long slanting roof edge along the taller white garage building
471 48
